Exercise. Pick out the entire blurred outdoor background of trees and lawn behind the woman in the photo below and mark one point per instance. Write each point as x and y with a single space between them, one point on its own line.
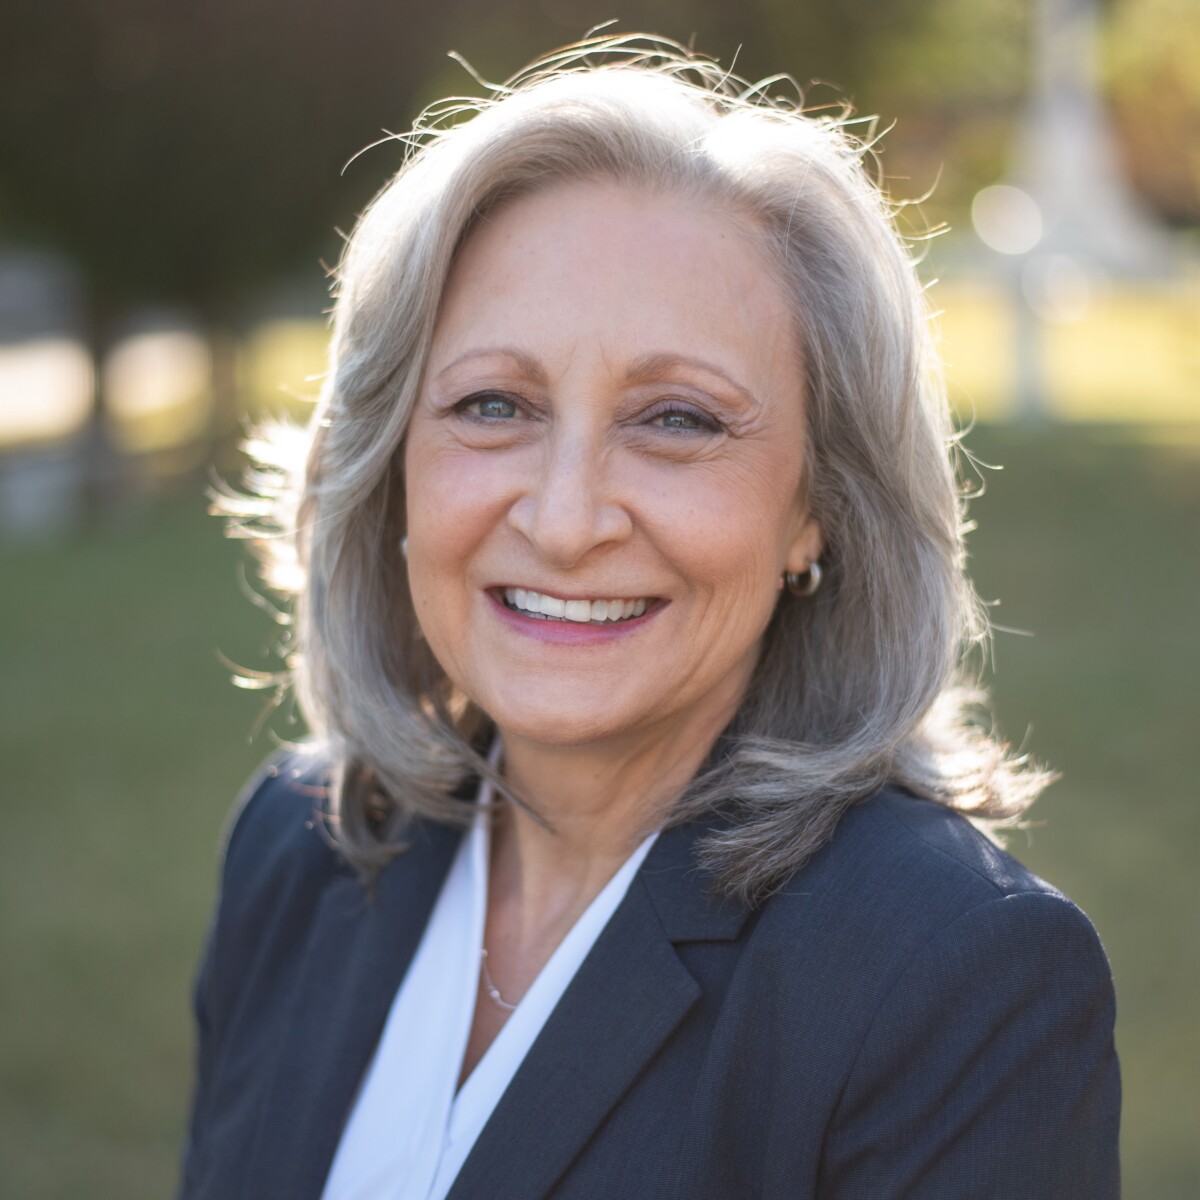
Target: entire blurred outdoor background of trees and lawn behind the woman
173 179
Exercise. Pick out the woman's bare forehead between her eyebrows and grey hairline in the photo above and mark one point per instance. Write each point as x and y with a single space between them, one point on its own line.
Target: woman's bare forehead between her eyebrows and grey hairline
617 263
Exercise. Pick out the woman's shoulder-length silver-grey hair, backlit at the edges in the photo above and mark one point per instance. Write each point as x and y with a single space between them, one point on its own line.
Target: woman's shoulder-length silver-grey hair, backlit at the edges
860 685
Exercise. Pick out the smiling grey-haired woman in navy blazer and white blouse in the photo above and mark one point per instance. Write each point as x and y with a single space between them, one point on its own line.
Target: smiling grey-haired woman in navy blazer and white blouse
635 854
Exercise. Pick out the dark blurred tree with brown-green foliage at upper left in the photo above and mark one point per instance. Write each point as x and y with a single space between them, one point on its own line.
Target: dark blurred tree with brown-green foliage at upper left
184 153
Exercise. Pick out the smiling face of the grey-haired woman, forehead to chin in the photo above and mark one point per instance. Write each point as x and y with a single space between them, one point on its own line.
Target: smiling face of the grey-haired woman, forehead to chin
604 469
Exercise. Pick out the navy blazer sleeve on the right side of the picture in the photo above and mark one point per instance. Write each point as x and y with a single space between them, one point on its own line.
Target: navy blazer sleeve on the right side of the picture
989 1070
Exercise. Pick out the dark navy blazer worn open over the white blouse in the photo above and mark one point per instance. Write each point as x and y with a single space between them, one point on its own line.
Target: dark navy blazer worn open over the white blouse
915 1016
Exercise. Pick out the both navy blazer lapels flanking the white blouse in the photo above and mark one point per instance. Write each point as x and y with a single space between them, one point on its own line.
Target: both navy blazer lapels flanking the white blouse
629 997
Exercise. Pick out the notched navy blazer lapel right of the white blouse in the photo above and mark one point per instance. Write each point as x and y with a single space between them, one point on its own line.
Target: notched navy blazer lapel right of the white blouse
627 999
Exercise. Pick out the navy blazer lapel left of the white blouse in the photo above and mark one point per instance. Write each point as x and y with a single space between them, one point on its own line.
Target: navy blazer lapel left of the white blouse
356 958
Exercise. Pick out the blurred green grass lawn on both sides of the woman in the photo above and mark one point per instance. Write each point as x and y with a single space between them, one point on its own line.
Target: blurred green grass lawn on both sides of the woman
123 747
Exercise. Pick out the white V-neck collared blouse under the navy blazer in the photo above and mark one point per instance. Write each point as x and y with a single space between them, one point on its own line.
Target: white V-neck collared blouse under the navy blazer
410 1133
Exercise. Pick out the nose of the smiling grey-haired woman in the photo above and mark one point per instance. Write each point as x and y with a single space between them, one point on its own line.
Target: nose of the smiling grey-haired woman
571 506
